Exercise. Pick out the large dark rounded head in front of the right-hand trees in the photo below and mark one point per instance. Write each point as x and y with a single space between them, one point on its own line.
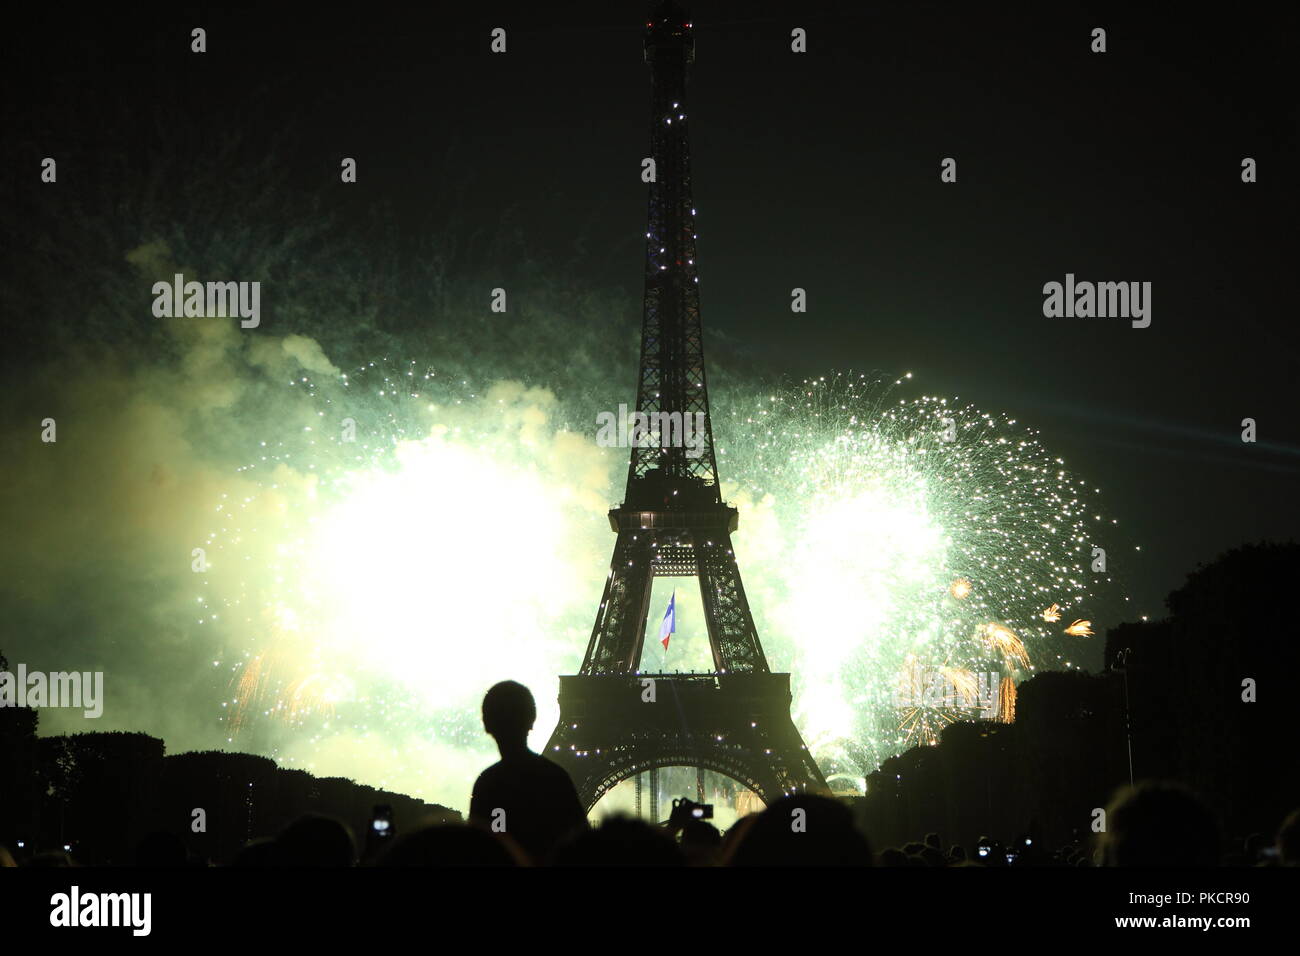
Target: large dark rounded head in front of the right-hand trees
1160 825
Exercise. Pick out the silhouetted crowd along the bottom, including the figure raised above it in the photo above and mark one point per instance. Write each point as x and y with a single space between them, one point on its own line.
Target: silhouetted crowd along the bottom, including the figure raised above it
526 812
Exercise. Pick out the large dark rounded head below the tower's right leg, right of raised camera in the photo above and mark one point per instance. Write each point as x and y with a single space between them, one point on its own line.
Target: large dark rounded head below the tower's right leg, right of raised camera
804 830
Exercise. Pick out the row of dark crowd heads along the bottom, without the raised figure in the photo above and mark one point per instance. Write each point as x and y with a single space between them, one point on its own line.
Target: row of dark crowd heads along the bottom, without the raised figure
1155 825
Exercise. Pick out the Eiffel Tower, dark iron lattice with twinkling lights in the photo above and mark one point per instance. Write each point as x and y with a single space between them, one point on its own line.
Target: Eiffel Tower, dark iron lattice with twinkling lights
617 723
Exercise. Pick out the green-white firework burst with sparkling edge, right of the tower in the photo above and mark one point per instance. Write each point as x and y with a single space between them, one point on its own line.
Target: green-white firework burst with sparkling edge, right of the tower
900 534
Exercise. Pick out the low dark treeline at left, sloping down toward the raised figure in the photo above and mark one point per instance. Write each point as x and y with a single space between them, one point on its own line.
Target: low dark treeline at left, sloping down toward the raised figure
101 794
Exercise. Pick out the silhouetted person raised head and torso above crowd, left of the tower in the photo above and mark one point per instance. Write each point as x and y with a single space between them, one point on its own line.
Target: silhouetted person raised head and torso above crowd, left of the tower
523 795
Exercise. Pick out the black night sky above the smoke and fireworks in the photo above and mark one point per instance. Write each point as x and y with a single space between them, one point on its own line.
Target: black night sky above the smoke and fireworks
822 171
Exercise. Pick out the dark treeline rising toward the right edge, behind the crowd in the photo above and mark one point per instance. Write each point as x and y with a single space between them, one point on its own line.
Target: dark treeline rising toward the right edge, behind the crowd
1211 702
